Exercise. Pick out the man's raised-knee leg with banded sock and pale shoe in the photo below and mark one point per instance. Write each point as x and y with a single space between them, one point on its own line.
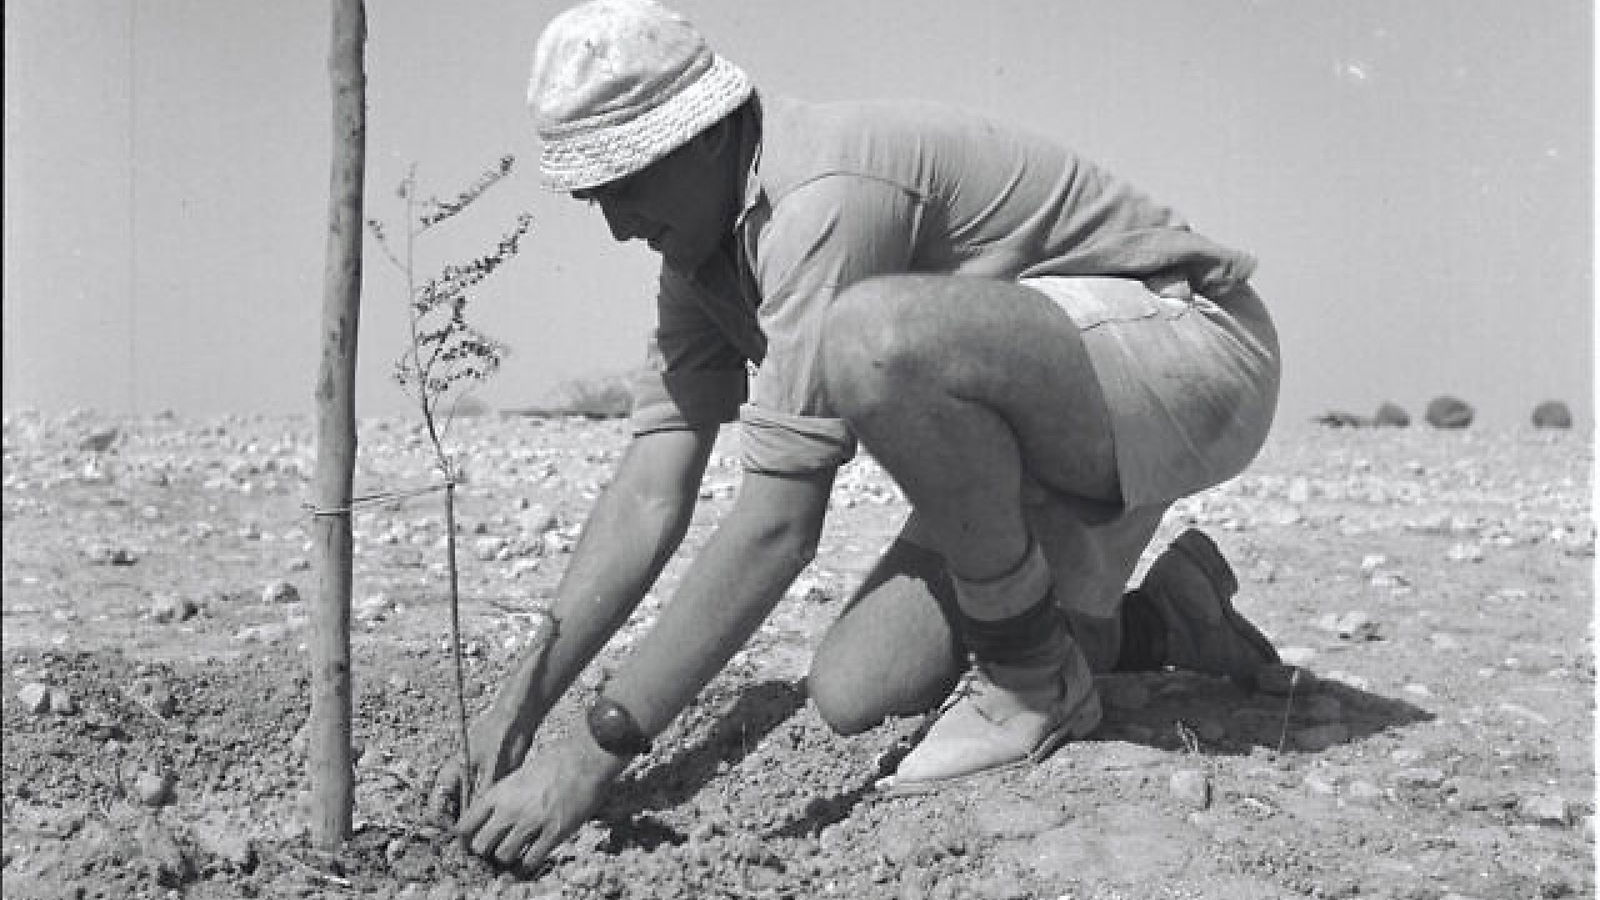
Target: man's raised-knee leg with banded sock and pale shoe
958 387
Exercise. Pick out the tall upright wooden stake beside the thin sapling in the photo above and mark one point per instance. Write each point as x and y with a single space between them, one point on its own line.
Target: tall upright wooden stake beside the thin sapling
332 776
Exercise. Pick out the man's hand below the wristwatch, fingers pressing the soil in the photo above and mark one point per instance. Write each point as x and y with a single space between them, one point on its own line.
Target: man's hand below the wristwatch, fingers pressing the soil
526 816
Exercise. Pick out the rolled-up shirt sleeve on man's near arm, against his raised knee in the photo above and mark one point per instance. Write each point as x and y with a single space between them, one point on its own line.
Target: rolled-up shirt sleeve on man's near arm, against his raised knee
822 238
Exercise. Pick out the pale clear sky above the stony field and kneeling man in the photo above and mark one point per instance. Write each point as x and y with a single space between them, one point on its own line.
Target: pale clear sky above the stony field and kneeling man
1417 179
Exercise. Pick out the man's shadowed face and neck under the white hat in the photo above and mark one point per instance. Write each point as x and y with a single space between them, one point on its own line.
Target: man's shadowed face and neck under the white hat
682 206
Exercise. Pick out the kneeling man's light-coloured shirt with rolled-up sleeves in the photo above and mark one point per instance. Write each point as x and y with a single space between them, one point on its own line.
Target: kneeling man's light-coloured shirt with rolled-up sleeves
846 191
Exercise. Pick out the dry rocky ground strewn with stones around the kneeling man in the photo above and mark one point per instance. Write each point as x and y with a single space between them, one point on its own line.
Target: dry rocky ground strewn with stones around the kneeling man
1433 589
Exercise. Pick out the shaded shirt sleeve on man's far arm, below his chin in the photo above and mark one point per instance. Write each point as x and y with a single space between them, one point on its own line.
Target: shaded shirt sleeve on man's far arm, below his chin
694 376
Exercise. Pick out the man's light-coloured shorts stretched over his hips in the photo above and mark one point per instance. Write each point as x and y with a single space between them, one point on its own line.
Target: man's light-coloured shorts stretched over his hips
1191 385
